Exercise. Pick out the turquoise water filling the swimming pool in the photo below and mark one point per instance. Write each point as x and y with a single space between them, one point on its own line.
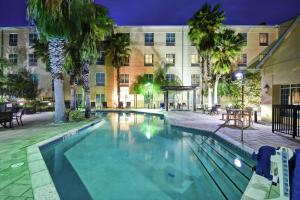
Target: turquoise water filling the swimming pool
133 156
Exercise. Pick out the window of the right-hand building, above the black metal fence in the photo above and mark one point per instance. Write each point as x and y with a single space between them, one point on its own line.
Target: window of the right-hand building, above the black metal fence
290 94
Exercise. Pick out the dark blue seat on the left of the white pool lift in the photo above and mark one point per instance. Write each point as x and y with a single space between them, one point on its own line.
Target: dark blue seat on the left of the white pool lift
263 158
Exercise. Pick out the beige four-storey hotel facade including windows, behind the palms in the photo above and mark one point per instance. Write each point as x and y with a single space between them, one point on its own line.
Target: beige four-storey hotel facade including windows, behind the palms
151 47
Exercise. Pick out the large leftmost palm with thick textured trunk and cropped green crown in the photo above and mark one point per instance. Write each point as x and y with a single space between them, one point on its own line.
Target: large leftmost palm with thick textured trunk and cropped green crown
57 20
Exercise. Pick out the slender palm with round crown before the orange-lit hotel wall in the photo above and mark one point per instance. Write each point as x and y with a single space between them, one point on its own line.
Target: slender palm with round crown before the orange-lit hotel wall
117 50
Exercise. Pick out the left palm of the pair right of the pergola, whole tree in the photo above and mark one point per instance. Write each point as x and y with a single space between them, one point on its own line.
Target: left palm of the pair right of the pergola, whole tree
203 28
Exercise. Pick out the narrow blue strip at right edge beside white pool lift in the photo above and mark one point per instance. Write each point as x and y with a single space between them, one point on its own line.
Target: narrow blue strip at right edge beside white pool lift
296 178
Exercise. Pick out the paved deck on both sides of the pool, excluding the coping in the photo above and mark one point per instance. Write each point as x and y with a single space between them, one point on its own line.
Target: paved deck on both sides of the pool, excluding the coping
14 173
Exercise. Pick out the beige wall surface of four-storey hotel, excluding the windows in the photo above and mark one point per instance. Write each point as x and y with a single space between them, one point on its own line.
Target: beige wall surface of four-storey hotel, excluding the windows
183 51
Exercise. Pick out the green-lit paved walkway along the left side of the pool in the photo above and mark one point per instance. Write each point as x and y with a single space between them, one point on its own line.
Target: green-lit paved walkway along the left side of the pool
15 181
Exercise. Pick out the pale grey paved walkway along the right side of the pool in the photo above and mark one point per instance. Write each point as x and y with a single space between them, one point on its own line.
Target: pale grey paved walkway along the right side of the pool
254 137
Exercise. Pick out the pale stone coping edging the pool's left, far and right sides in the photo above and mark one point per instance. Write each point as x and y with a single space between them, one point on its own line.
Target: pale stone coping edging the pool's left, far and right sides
44 188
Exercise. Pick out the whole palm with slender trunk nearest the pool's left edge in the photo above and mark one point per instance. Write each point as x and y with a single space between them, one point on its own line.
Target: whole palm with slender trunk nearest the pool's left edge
95 25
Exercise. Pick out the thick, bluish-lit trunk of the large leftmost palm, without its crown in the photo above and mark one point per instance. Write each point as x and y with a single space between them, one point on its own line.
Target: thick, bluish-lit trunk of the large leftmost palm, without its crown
56 54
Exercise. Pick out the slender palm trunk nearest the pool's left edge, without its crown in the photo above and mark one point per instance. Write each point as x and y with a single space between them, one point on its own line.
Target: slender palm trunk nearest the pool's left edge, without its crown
85 75
